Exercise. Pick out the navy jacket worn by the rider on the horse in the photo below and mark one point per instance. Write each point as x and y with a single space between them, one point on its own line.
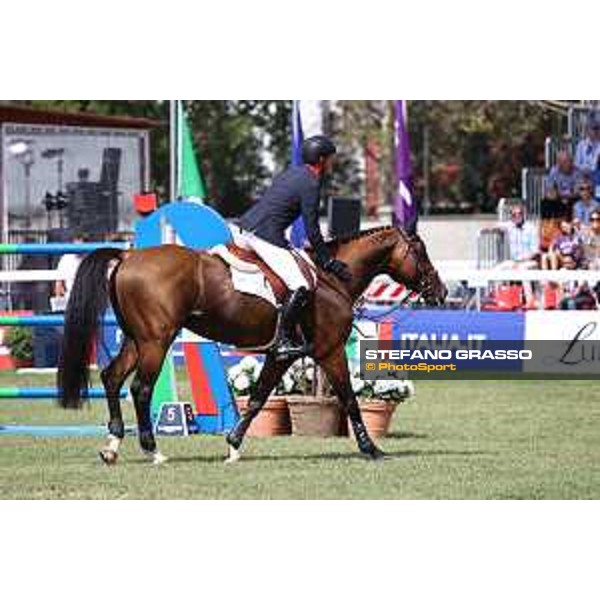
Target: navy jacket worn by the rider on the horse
293 193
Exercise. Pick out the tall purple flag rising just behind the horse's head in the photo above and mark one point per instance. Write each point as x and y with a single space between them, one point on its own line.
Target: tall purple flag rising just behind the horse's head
405 208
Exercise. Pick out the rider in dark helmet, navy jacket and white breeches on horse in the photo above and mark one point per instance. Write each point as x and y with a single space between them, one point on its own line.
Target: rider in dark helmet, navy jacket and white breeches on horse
294 192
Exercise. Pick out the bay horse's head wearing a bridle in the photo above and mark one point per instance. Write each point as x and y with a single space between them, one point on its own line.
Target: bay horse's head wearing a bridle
410 264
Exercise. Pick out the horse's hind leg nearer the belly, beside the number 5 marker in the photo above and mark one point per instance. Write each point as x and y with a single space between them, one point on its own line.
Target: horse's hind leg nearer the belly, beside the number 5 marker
151 356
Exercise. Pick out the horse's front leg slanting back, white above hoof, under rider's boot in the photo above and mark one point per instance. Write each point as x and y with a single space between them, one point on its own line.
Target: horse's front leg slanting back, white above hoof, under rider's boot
270 376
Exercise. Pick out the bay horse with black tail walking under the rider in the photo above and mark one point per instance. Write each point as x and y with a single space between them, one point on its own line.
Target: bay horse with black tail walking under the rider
156 292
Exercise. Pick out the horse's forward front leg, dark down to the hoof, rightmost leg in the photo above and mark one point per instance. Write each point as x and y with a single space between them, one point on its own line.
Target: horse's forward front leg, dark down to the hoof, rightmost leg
336 368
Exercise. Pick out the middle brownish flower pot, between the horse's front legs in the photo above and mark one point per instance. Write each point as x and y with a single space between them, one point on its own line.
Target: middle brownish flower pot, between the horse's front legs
316 416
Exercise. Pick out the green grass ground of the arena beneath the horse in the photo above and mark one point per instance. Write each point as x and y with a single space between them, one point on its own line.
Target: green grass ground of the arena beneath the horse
456 440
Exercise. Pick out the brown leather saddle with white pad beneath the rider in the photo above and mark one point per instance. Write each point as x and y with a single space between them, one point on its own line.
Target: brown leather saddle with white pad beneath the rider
247 261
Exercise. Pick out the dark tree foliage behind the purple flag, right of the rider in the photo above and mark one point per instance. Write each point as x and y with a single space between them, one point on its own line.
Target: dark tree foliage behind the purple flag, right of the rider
476 149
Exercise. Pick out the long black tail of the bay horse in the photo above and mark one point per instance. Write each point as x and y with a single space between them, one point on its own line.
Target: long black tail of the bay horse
88 300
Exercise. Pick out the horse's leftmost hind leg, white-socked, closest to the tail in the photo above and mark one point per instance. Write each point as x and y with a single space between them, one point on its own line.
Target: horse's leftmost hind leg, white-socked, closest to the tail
113 378
